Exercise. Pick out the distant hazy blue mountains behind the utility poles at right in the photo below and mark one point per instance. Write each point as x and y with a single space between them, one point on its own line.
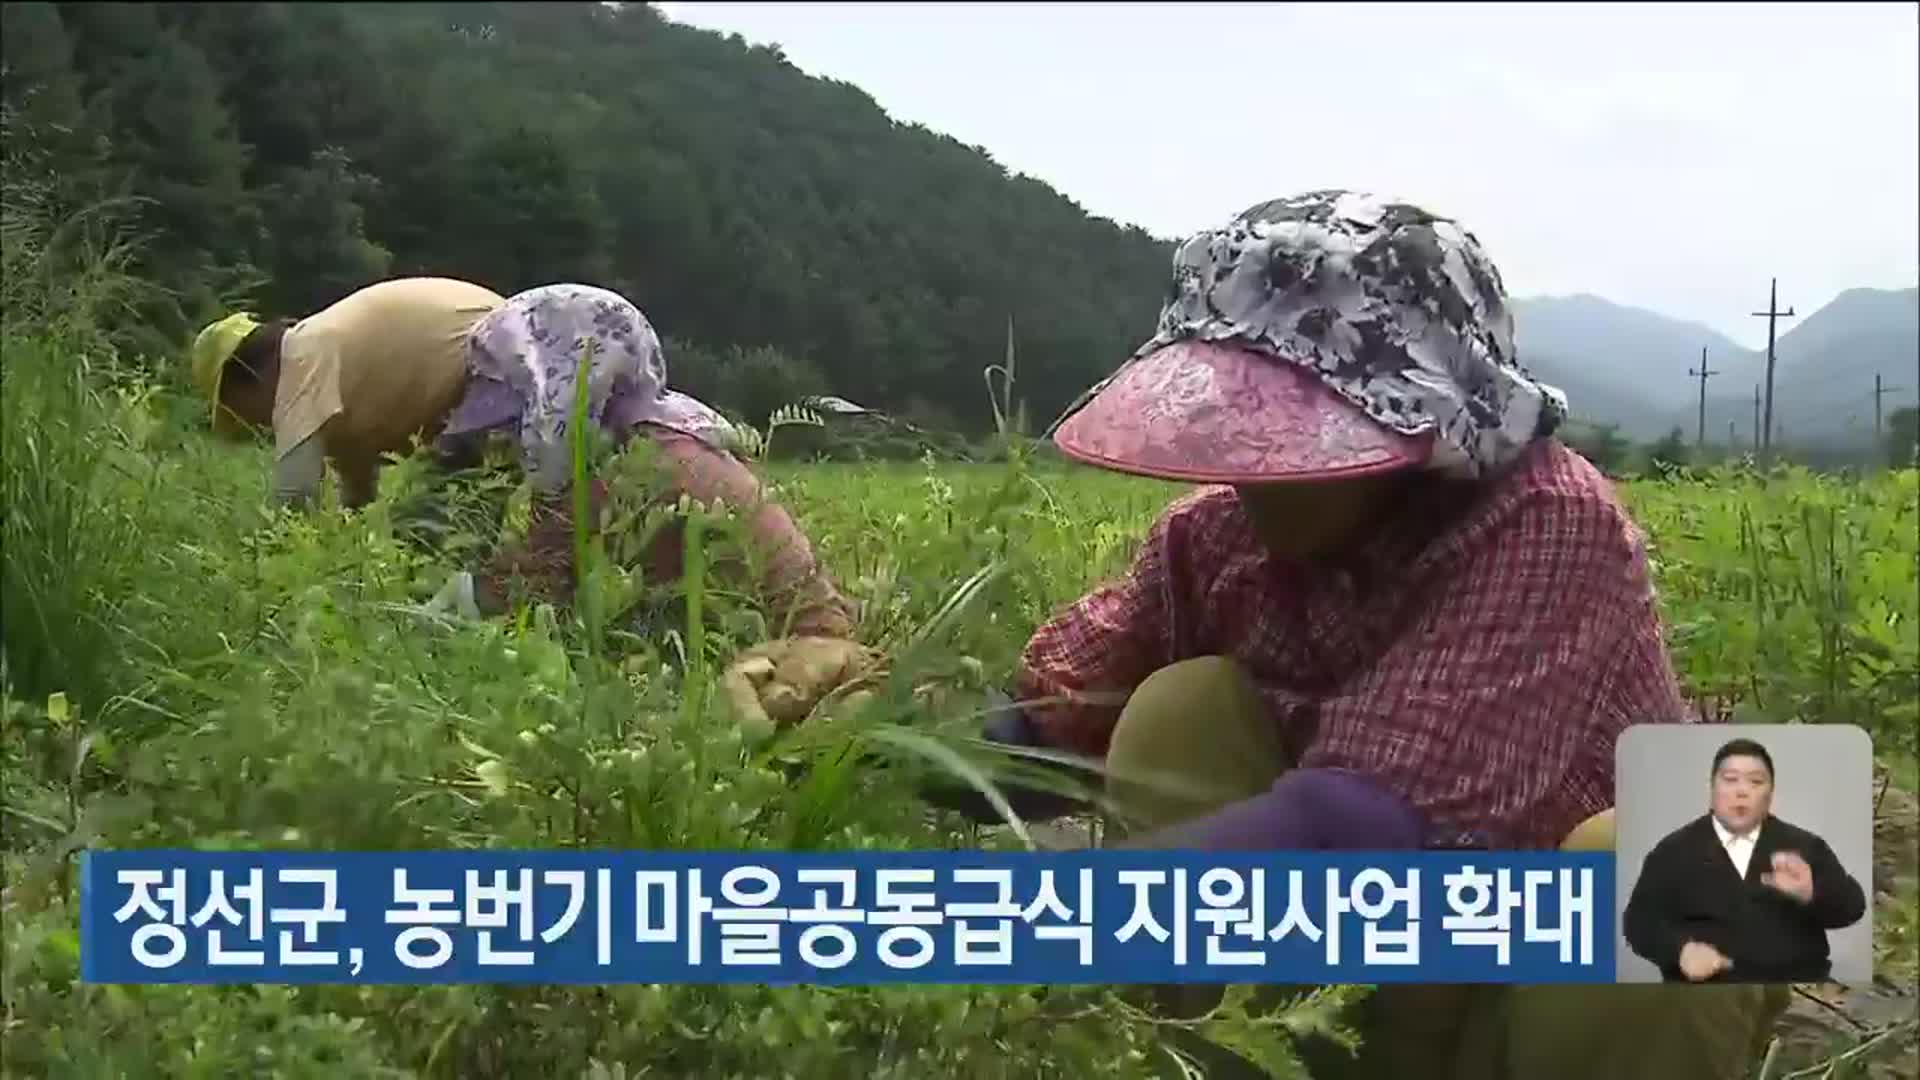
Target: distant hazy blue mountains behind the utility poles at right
1625 366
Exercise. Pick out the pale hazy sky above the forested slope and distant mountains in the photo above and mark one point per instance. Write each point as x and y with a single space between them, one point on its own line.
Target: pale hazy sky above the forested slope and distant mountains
1666 157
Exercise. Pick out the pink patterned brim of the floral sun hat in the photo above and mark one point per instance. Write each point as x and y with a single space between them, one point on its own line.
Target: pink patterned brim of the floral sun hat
1216 414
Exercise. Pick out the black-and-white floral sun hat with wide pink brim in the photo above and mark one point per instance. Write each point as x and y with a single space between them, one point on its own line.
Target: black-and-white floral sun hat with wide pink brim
1312 339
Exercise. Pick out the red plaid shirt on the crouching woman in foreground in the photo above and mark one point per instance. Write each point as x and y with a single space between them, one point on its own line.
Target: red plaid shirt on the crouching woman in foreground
1479 654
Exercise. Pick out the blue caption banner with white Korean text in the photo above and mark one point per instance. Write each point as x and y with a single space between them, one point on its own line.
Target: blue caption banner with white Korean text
838 920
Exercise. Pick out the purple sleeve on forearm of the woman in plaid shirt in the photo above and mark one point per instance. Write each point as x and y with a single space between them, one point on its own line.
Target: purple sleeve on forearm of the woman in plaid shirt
1307 810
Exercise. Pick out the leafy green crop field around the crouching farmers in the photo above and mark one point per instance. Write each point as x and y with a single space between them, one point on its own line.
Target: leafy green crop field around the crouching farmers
189 672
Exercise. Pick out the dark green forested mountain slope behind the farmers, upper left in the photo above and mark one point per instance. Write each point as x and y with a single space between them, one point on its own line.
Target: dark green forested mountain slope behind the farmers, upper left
291 153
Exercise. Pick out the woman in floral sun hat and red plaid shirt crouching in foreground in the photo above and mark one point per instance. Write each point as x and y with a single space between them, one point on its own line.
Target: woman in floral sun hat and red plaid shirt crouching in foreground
1399 614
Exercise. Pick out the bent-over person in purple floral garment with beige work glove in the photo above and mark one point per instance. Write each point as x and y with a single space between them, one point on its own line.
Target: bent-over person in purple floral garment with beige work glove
521 381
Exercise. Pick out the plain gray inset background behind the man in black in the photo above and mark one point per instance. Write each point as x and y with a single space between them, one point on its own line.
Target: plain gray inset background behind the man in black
1823 783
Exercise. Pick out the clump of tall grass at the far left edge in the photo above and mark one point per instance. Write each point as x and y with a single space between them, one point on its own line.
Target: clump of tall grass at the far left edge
72 501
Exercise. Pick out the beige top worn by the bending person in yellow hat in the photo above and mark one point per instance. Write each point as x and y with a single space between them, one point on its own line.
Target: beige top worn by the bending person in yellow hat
368 376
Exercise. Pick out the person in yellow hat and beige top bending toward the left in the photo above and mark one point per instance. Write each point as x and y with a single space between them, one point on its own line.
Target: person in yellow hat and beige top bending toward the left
348 385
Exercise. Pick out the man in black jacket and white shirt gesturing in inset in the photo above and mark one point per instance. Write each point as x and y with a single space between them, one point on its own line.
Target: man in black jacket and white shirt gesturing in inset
1739 895
